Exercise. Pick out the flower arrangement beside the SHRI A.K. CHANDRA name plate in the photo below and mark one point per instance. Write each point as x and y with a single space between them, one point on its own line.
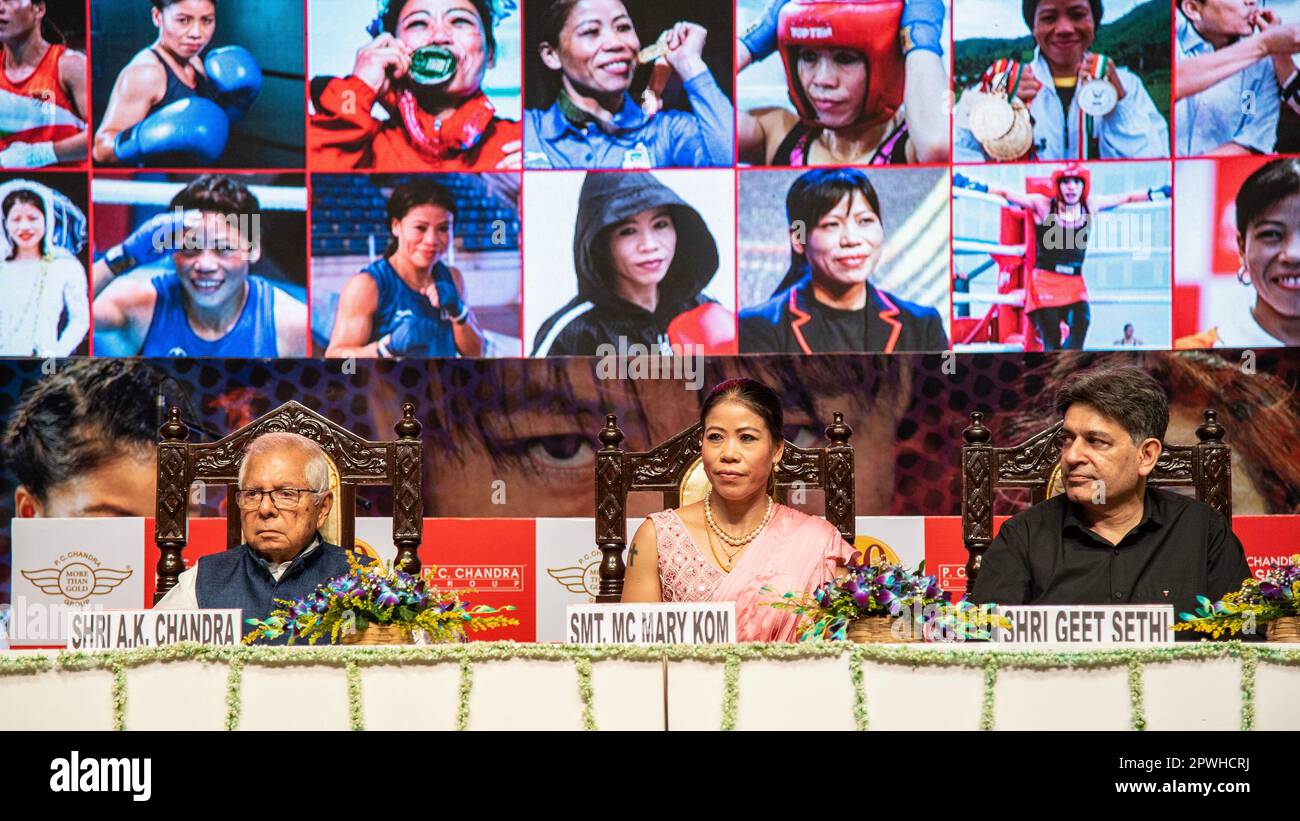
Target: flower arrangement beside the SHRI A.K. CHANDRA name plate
378 594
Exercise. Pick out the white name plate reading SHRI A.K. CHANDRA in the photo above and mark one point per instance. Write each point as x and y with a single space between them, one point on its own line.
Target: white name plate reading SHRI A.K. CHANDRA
132 629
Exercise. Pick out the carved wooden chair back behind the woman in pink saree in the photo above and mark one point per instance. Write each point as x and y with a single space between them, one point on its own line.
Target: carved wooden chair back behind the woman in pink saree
674 470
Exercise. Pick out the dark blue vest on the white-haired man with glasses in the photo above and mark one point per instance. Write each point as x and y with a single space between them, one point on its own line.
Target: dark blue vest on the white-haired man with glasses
239 579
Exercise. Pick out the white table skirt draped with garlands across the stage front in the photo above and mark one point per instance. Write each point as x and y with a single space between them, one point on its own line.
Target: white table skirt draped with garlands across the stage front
501 687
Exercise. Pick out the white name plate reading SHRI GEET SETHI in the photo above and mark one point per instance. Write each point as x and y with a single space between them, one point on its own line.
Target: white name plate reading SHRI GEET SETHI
1085 624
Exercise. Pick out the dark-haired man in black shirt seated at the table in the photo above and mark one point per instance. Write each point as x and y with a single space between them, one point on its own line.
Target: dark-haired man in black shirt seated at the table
1111 540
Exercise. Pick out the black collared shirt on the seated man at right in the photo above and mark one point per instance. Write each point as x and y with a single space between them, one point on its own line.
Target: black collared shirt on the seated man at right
1180 550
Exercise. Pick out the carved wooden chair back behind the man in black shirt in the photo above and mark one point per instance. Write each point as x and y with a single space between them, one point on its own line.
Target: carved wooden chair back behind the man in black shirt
1035 464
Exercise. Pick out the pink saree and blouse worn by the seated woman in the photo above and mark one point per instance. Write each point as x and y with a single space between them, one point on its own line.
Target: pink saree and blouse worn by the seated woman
795 553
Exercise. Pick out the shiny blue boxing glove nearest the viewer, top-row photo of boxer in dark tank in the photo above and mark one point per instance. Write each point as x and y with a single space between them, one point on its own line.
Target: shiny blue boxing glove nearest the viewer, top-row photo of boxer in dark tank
194 128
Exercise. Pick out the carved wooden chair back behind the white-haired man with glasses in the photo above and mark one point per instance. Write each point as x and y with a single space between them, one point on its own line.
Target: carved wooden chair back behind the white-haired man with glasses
356 462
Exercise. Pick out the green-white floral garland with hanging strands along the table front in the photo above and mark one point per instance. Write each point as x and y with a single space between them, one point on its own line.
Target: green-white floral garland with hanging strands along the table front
730 655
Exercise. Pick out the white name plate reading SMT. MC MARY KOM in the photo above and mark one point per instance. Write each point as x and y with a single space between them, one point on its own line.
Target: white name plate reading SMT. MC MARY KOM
669 623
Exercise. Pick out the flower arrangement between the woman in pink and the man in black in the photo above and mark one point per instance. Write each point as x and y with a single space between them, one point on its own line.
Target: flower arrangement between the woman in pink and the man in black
915 601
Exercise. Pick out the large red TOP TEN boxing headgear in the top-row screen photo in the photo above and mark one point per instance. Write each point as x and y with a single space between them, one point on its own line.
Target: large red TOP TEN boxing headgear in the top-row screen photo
866 27
